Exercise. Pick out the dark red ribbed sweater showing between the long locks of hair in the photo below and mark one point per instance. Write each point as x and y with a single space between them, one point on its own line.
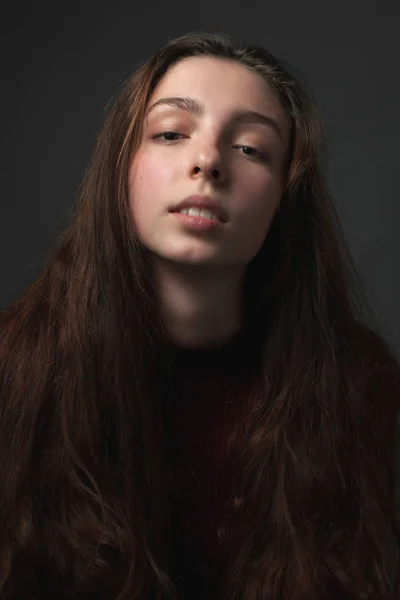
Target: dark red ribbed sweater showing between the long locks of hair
215 395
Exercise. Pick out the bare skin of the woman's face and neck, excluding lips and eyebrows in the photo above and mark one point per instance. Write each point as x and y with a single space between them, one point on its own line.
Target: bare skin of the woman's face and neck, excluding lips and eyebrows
200 274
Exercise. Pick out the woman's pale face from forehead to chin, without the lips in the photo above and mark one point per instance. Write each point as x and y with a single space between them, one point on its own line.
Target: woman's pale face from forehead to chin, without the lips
241 164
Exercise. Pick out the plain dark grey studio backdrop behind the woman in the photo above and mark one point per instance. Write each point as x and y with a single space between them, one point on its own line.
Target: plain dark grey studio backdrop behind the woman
64 61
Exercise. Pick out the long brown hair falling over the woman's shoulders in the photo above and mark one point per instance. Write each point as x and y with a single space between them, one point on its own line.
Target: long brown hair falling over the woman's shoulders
84 484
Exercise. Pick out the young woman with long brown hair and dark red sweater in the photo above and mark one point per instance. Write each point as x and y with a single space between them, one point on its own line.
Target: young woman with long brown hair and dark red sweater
192 405
